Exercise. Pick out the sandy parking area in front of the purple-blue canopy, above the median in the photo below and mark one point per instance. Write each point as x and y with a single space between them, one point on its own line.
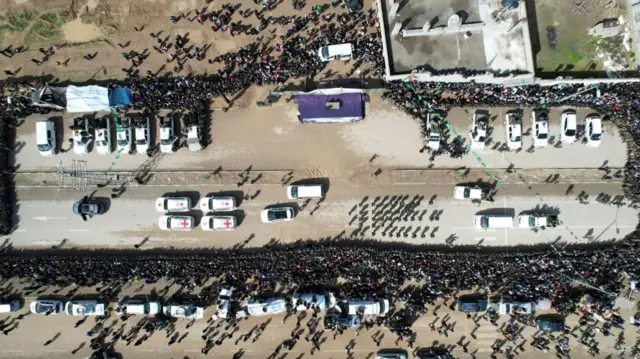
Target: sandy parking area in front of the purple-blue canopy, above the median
272 138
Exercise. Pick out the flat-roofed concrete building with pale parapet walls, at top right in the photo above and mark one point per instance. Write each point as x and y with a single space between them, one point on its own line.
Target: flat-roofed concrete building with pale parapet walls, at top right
456 41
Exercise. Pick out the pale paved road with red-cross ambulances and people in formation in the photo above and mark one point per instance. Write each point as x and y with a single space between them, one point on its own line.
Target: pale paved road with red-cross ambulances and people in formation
45 216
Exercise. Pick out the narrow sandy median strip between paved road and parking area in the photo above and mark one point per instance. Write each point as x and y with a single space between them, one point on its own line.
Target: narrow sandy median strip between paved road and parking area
365 177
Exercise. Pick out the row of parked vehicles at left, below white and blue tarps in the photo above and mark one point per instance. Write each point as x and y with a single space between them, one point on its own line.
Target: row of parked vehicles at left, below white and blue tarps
127 132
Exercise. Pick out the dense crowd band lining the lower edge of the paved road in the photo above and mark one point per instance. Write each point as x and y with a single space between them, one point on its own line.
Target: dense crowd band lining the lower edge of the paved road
367 272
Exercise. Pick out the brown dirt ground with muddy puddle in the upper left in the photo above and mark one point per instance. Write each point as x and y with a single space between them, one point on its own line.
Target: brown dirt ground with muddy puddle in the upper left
106 27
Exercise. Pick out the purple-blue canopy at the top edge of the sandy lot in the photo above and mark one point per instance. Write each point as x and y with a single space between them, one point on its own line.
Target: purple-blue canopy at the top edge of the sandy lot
314 108
